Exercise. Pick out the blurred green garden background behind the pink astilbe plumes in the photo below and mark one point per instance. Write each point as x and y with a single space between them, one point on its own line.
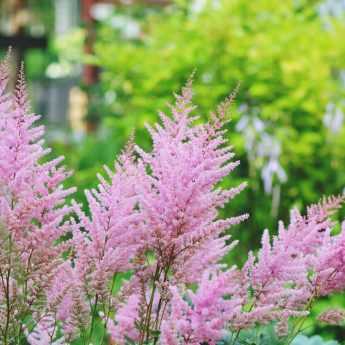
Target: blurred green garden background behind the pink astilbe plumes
99 70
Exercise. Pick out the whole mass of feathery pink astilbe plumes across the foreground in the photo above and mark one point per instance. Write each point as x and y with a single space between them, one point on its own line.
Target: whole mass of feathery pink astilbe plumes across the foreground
153 228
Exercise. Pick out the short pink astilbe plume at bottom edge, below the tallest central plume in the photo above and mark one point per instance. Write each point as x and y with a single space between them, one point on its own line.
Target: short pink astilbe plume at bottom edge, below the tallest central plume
203 317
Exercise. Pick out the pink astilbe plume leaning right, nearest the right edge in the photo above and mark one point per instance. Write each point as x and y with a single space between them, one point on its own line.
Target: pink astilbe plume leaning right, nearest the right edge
285 279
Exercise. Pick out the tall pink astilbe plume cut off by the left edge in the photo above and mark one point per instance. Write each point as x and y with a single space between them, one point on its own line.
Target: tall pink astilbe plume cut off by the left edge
32 211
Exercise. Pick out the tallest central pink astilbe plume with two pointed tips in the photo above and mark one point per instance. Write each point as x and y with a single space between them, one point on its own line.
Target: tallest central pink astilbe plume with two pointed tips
180 200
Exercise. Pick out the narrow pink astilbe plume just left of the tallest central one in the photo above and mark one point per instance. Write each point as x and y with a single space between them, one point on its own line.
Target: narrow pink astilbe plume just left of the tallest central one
106 242
